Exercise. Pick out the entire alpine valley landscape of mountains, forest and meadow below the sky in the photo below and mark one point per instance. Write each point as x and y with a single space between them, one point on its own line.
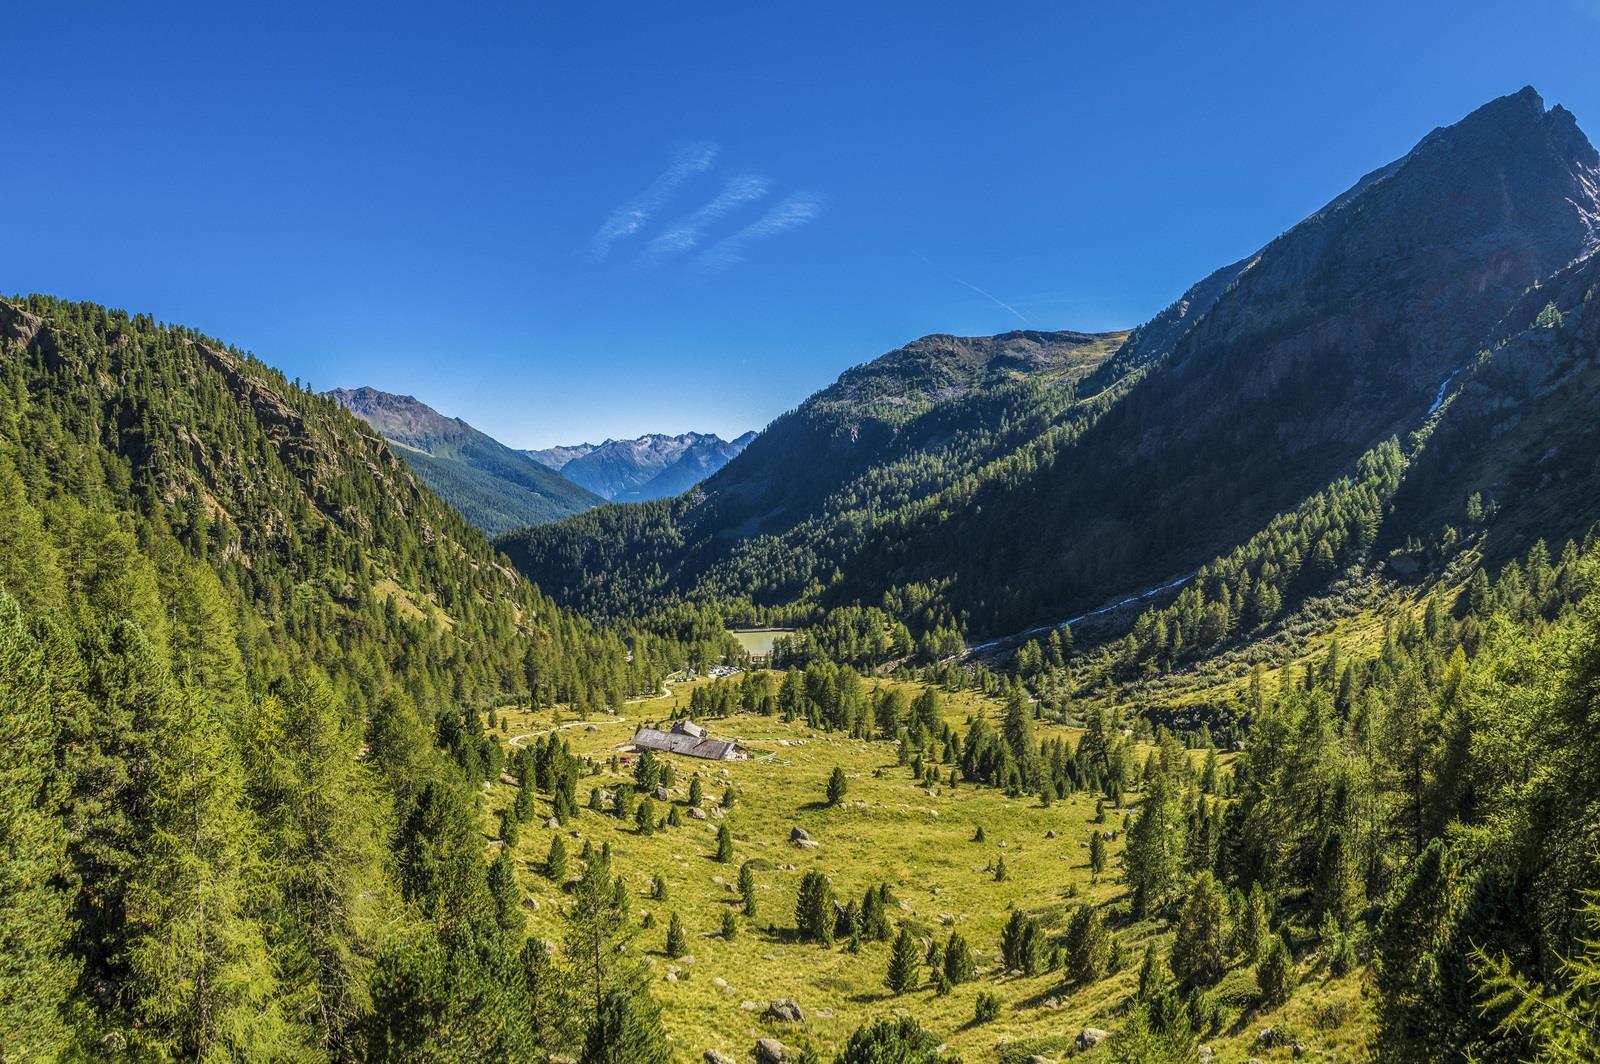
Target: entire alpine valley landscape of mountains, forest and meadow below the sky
1225 689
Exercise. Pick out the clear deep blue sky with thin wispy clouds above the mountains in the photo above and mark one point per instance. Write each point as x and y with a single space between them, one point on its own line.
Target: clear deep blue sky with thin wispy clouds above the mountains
566 222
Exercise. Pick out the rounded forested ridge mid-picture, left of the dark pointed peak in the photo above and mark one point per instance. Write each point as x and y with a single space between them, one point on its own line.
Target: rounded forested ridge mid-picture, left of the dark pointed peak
886 436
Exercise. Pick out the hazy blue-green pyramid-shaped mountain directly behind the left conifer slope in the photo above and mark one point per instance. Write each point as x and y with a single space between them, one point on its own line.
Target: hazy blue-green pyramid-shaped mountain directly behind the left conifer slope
494 486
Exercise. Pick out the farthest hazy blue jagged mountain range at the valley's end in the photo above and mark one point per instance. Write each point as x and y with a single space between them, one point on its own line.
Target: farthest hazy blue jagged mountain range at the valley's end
654 466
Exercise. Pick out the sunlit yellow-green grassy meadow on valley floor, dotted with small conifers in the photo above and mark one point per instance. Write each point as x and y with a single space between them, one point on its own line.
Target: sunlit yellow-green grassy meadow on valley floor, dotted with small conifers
890 830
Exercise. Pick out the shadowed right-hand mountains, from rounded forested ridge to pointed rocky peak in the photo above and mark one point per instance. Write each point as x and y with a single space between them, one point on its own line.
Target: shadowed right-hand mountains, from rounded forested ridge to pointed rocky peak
1262 386
